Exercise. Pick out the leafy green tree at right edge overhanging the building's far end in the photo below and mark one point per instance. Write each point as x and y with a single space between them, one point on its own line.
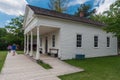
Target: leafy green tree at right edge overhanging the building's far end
113 19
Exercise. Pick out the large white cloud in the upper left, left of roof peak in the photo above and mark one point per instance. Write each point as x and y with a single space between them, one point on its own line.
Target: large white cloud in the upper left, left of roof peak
12 7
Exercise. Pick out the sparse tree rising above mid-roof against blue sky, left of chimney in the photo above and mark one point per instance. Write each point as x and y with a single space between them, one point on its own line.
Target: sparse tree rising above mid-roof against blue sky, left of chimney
58 5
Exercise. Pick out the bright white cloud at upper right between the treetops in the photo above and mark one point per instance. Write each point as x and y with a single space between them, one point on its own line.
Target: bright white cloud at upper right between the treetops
105 6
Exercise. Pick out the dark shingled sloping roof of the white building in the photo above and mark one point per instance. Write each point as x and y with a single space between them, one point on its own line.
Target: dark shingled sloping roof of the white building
51 13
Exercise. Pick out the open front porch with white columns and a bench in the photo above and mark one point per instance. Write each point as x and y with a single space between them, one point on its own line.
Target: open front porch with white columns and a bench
41 40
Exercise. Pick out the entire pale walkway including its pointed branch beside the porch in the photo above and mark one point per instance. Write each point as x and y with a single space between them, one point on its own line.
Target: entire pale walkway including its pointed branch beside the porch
20 67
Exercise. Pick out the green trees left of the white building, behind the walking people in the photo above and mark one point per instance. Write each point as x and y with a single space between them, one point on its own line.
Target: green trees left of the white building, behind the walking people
12 34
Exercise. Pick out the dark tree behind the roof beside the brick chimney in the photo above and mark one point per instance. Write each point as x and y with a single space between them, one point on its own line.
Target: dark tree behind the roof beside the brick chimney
85 10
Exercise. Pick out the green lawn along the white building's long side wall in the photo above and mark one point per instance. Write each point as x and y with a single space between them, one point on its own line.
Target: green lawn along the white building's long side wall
104 68
